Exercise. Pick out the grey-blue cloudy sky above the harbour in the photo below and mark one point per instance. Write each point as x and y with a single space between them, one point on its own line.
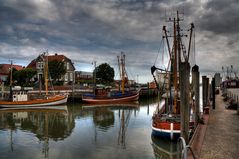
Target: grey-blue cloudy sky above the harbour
98 30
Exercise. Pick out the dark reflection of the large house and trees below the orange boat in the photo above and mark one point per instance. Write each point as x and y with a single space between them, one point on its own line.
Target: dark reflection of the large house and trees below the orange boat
46 123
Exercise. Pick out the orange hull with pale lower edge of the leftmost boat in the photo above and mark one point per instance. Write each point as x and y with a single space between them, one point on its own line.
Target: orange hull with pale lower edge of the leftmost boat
51 101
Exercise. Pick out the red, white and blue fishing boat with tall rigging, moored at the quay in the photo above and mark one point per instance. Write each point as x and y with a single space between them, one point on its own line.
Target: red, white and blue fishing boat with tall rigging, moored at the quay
166 120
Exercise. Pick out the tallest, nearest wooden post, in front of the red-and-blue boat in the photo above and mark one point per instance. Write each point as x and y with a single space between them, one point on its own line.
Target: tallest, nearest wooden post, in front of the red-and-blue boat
184 99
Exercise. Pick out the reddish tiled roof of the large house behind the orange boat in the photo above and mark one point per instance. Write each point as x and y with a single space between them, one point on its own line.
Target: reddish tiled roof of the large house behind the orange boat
50 58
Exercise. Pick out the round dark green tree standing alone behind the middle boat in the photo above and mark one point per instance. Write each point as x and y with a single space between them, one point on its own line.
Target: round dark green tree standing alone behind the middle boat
104 74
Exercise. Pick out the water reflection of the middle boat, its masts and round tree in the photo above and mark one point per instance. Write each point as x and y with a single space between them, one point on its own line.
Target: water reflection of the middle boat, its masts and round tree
104 118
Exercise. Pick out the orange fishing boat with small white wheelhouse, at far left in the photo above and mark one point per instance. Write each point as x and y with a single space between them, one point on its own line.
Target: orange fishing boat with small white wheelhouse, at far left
20 97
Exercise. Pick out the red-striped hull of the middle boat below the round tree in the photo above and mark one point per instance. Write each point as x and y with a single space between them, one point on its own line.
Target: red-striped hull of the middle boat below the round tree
124 99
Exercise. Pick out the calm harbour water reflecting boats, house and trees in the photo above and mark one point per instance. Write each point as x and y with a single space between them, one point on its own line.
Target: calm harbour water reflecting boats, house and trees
82 132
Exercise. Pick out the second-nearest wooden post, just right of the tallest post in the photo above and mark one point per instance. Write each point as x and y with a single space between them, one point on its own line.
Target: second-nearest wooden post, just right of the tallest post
195 82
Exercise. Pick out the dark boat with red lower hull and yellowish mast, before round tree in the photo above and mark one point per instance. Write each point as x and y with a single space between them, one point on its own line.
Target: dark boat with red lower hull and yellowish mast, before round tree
104 95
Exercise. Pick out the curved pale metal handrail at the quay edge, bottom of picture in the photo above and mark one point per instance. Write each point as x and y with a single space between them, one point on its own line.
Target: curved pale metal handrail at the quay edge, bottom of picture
182 149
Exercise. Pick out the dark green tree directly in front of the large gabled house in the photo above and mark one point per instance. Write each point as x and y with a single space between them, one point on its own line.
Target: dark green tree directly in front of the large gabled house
56 69
